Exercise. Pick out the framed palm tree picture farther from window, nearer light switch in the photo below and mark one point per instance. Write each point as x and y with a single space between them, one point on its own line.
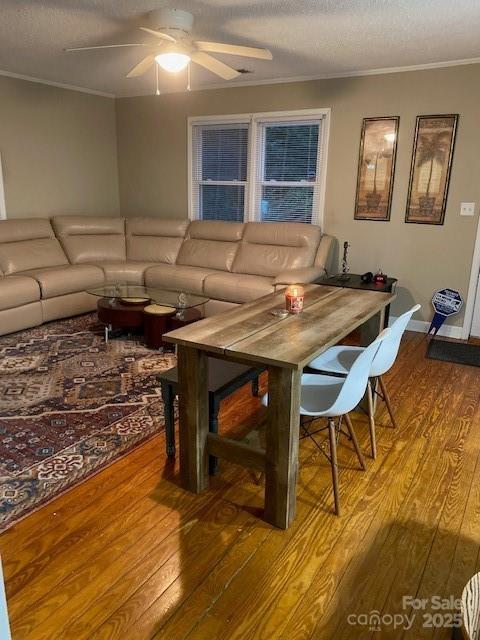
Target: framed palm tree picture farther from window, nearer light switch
432 156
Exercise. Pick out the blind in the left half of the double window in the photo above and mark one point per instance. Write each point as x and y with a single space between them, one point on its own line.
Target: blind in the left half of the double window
219 171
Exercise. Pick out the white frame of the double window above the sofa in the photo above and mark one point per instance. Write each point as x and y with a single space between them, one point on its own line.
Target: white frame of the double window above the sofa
253 170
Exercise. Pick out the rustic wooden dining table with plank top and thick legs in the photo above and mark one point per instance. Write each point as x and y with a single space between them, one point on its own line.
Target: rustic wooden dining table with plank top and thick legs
251 334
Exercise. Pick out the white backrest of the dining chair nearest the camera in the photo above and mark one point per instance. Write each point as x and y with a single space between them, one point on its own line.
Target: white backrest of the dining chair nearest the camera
356 381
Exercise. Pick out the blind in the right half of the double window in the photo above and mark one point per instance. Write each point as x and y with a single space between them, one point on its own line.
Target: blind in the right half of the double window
288 169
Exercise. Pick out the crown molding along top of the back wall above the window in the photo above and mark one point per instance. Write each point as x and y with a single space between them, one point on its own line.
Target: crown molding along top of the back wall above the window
324 76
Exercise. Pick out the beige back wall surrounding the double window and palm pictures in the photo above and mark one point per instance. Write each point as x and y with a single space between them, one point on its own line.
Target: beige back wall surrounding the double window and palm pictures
152 142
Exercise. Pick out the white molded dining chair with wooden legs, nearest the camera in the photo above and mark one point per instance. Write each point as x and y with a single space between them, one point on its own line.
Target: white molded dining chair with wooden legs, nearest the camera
324 396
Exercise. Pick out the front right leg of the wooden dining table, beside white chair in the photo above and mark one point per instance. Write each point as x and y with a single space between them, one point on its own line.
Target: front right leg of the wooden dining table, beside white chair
281 452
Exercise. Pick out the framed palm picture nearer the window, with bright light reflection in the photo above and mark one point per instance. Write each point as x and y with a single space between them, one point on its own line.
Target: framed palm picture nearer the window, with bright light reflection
378 150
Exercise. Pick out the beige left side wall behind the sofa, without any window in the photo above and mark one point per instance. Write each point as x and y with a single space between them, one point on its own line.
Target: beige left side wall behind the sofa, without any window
58 149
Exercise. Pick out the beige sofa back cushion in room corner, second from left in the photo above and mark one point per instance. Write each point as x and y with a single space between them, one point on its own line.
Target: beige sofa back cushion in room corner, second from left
91 239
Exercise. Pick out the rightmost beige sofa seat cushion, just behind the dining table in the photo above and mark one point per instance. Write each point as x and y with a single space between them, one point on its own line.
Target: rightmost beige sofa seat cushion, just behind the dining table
236 287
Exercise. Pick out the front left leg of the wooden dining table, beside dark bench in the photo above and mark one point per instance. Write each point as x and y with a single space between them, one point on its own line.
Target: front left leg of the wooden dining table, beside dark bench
193 417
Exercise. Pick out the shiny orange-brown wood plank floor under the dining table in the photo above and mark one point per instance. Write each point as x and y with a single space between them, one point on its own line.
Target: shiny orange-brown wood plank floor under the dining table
130 555
